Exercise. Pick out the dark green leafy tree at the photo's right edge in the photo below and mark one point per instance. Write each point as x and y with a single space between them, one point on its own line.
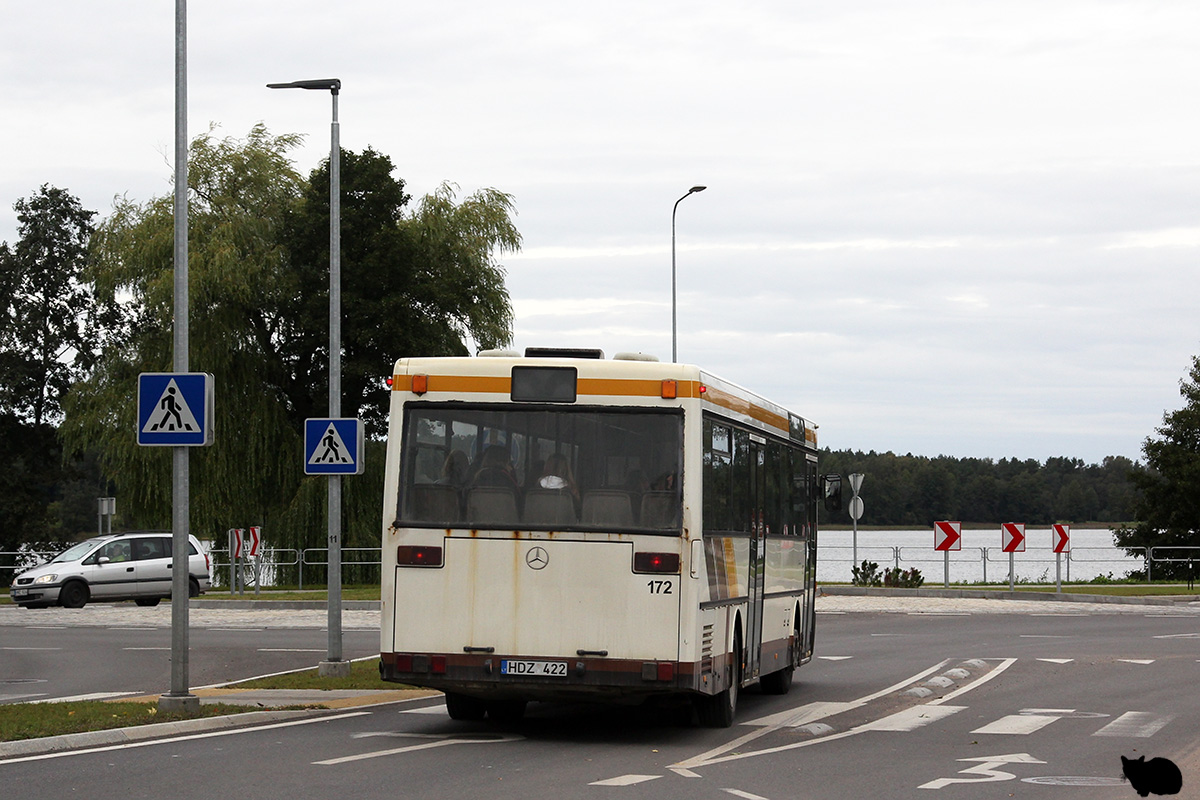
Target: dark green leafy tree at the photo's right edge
1168 510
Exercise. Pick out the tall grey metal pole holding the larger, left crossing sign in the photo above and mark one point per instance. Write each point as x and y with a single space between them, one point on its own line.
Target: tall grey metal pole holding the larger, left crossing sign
179 696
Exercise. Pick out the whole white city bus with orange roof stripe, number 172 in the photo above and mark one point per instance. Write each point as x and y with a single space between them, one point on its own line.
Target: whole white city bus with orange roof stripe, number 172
565 527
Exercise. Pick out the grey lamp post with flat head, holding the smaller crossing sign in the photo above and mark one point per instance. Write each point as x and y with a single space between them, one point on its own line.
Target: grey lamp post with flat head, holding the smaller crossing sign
334 664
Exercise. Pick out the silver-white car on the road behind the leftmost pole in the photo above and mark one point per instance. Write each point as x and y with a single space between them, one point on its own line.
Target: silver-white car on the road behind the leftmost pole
119 567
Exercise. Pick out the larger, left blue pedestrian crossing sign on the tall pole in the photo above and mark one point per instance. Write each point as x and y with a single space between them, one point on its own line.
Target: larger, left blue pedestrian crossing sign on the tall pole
176 410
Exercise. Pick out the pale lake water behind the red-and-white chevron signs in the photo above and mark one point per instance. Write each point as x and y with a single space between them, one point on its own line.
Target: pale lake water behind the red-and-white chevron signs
1093 555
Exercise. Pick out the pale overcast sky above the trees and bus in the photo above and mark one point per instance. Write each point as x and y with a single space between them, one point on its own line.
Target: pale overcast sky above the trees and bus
932 227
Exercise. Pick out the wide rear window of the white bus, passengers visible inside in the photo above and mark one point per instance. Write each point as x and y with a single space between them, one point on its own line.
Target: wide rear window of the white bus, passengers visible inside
515 467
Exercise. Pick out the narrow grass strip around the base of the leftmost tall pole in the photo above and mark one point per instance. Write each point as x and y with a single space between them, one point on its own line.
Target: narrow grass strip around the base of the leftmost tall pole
37 720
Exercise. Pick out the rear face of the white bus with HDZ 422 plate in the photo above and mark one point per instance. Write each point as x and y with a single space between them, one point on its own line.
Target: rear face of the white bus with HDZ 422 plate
535 532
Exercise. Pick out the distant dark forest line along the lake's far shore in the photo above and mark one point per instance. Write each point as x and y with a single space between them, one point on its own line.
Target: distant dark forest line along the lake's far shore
919 490
